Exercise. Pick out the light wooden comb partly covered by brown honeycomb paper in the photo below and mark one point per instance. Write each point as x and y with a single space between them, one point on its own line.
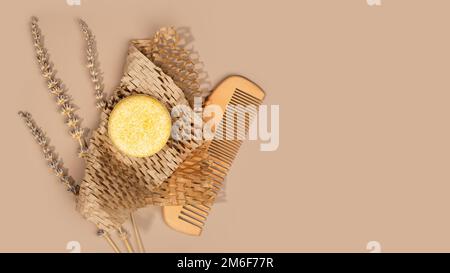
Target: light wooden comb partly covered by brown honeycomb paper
233 91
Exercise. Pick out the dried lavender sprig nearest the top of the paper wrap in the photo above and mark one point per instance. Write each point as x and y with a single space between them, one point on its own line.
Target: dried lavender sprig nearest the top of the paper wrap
93 66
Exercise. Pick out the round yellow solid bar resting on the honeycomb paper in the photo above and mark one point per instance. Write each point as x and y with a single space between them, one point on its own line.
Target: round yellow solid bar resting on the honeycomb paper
139 125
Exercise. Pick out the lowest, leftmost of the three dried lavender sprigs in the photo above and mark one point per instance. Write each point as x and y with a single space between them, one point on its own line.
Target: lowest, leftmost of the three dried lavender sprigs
52 159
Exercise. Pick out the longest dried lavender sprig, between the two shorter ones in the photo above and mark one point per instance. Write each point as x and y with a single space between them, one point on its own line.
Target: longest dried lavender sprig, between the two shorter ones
56 88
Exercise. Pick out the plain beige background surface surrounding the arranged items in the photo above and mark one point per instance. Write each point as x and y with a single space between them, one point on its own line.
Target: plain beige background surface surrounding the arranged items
365 135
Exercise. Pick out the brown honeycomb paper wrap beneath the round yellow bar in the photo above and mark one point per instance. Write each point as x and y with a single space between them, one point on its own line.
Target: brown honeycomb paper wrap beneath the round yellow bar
114 184
